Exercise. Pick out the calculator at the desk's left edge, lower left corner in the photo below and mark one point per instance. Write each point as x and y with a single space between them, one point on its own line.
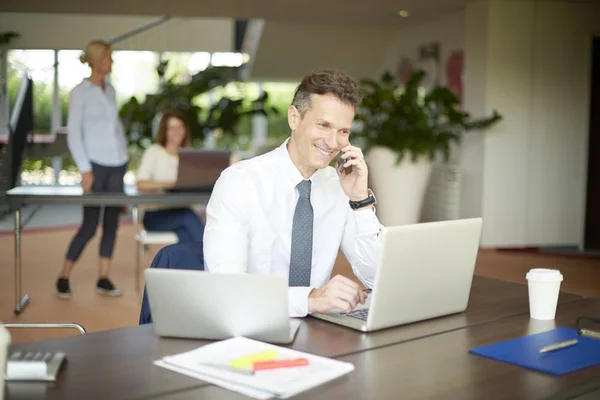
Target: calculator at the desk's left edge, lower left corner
33 366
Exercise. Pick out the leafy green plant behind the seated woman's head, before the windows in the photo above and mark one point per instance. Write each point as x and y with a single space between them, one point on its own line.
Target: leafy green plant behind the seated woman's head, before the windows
139 119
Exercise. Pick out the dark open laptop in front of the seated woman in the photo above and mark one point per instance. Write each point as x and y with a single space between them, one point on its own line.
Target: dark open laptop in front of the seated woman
199 169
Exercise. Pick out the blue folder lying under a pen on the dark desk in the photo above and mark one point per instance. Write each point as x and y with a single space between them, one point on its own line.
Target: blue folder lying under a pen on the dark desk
525 352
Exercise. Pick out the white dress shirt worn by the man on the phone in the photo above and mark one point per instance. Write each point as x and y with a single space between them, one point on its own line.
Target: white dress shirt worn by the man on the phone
249 224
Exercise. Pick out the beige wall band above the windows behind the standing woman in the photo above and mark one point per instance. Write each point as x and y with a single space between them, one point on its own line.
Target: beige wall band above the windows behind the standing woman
71 31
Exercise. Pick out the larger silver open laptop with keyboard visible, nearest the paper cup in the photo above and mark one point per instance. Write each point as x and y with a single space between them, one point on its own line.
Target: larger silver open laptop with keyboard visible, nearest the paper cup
425 271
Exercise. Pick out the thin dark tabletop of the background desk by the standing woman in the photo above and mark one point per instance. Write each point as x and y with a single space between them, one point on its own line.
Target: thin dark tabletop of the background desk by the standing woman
42 194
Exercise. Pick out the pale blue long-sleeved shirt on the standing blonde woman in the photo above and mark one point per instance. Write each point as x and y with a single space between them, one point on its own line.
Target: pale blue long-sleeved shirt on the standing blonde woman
95 130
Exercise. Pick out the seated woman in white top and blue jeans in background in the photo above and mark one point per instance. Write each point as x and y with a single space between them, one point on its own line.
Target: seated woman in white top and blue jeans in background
158 170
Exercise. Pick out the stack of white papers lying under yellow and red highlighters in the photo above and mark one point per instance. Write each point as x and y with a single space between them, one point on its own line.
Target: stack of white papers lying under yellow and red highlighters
212 364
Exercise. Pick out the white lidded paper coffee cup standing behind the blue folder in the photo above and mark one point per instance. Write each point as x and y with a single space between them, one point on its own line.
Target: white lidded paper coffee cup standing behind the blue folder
544 286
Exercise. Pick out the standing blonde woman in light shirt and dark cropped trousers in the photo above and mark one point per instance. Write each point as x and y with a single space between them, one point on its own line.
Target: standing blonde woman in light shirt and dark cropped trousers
98 145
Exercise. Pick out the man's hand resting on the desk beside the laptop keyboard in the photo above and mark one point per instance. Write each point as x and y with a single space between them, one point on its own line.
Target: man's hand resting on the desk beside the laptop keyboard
339 293
